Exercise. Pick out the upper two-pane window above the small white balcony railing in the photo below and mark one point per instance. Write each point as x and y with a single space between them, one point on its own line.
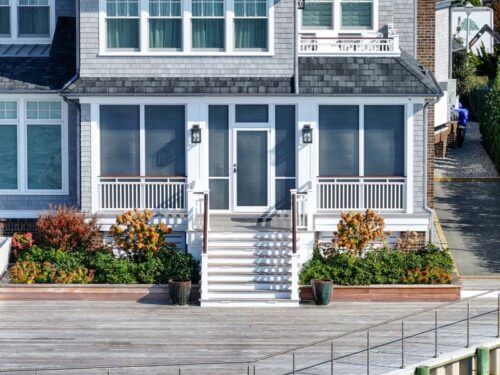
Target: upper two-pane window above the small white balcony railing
339 15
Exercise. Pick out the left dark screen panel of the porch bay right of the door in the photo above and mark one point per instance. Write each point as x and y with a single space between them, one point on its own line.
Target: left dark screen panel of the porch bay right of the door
338 140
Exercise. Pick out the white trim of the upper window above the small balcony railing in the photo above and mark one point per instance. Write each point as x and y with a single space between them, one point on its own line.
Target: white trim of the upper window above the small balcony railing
337 22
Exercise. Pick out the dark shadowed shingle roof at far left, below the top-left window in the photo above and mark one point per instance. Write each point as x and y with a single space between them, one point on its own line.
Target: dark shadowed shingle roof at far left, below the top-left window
42 72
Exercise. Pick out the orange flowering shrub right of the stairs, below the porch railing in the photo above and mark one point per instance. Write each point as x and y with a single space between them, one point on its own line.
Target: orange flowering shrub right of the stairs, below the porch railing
358 230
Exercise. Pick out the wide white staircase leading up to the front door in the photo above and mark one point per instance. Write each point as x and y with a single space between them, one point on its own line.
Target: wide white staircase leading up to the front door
251 269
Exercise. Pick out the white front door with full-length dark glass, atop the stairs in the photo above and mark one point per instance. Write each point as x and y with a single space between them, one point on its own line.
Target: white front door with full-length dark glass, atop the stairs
251 169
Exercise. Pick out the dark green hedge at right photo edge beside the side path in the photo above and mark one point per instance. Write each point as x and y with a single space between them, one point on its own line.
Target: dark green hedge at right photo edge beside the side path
490 121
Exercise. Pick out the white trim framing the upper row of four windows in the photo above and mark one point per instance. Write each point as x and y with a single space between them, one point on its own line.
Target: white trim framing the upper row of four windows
144 49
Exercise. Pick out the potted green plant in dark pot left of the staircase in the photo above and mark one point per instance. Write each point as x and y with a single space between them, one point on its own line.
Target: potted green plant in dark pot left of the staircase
179 284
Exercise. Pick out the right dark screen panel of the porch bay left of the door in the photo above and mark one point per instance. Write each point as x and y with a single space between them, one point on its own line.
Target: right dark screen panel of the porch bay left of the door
165 140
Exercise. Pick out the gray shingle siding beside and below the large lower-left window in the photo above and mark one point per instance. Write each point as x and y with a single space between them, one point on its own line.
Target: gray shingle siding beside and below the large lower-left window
42 202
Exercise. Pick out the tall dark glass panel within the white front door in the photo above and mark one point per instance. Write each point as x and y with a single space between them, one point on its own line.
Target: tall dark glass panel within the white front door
252 168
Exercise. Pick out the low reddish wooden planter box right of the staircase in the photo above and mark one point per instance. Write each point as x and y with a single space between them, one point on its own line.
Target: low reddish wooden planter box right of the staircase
390 293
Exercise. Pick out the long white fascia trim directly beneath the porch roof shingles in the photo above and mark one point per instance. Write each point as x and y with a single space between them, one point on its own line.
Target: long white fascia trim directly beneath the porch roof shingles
291 99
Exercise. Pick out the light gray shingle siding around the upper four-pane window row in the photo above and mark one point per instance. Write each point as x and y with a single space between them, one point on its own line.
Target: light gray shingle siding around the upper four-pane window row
279 65
